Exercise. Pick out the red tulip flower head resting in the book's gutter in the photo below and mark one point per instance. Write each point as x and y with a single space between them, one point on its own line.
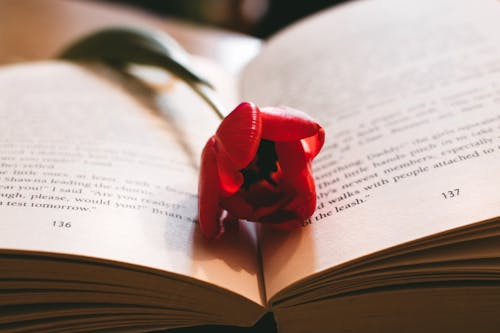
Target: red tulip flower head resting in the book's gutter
257 167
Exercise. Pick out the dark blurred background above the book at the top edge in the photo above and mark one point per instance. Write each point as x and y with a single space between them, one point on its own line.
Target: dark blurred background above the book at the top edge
259 18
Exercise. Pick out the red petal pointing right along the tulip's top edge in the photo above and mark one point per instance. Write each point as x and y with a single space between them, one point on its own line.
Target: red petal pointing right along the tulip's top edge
286 124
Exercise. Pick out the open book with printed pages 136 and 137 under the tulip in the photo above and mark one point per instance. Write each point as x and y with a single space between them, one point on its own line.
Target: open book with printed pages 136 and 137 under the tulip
98 186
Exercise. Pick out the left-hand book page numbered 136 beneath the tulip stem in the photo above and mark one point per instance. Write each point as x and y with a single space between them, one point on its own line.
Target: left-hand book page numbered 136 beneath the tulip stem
90 167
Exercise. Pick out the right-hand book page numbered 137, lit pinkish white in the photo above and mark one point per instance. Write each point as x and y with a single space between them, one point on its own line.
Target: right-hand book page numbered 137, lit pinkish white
409 95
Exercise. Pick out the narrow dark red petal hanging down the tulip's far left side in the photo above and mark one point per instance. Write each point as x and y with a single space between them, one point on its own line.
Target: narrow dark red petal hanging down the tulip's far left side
209 211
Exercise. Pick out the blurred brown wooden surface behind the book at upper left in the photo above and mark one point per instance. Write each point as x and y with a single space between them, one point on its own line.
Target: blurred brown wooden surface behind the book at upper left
37 29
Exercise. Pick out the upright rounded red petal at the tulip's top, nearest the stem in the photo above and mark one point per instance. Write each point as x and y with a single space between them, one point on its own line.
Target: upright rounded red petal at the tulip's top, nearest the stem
239 134
